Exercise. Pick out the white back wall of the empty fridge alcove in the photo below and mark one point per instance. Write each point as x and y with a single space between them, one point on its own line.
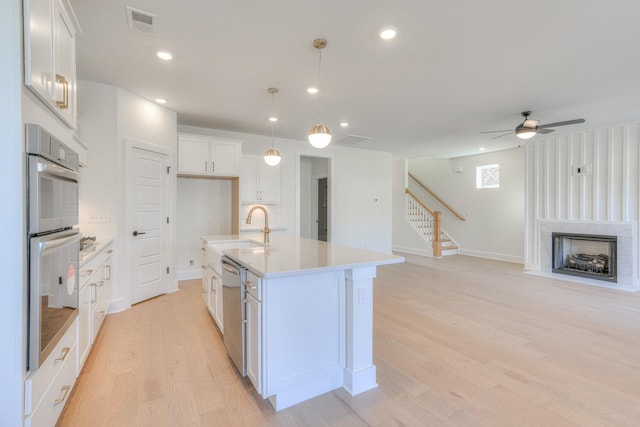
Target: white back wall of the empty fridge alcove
203 208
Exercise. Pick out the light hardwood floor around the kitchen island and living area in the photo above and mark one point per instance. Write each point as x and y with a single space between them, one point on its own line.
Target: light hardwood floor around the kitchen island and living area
459 341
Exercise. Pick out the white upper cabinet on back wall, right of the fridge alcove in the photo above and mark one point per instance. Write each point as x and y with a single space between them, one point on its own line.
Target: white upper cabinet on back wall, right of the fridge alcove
259 182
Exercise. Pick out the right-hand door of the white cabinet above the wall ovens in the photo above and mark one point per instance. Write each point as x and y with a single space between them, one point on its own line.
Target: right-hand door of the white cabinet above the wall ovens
64 65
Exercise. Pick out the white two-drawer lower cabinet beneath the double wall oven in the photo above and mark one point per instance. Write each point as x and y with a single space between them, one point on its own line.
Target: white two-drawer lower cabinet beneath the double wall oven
48 388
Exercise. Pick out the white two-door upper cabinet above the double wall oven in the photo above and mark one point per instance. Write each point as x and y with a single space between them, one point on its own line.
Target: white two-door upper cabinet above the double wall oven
50 30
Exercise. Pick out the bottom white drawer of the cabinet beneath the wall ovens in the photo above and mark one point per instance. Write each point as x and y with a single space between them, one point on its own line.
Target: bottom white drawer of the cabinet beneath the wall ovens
46 413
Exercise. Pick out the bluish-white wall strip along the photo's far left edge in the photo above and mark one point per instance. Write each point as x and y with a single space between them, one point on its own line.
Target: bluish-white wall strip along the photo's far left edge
13 305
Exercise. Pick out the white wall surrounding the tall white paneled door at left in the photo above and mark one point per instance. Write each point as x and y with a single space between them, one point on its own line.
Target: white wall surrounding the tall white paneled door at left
107 117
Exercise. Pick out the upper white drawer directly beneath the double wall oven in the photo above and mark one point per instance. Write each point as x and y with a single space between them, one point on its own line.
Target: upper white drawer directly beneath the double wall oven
38 381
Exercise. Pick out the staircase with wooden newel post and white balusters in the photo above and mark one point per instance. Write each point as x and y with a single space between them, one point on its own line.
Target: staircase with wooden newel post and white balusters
426 224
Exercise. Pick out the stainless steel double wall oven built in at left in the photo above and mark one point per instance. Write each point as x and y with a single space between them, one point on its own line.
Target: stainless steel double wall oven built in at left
54 241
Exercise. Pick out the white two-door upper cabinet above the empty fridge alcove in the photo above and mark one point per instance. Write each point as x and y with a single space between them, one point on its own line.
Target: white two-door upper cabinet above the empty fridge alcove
208 156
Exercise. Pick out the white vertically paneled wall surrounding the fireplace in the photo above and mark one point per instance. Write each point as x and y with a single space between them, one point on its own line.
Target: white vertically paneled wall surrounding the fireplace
609 191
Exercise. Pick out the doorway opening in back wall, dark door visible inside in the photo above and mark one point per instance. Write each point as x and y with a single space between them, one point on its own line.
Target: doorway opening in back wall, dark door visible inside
315 197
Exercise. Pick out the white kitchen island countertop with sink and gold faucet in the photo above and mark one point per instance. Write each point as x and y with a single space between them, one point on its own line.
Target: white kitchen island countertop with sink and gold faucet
290 255
